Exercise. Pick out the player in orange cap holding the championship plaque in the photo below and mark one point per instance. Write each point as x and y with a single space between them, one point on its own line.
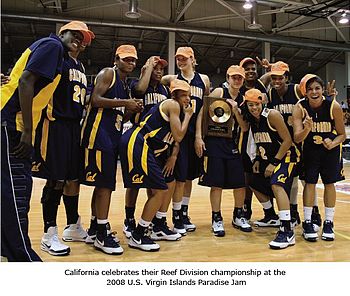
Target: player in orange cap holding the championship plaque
222 155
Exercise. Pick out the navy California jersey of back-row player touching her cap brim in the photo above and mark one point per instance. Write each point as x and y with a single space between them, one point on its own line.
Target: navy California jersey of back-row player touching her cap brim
152 96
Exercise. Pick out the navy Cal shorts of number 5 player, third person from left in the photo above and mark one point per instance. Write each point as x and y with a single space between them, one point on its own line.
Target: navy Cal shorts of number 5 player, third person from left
99 168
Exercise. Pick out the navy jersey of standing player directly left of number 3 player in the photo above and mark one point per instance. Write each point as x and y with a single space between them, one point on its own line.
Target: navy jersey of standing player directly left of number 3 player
284 104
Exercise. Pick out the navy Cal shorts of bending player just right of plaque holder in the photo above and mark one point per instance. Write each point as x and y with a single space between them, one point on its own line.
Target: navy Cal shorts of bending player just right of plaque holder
282 176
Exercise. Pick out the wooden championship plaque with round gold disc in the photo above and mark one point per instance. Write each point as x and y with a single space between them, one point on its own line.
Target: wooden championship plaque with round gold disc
217 117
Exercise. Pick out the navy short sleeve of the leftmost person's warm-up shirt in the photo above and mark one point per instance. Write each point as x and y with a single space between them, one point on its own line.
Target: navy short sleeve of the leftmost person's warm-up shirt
46 60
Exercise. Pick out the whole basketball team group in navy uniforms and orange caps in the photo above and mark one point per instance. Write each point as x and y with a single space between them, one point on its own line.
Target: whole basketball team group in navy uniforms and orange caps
56 127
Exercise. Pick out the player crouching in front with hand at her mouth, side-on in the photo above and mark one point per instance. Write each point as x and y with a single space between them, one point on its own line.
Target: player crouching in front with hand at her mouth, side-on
143 155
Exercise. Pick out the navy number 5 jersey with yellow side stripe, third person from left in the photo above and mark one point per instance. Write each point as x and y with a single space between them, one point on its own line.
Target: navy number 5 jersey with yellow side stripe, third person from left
103 127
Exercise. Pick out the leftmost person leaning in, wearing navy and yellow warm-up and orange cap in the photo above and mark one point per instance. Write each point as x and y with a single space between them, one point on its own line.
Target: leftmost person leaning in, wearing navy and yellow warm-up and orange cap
32 83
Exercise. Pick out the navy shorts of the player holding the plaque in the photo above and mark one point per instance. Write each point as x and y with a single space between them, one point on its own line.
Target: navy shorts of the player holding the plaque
222 172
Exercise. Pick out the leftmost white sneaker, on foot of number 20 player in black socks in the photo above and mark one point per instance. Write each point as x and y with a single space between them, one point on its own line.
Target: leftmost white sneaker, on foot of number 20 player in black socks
51 243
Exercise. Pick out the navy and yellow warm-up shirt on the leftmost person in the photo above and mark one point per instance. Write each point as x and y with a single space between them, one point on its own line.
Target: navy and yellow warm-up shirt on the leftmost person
44 58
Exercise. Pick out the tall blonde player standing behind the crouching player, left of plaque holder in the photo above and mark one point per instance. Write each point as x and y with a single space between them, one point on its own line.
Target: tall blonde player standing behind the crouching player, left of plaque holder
188 164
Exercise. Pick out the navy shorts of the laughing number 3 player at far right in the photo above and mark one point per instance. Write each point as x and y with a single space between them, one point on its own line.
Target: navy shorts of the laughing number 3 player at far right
325 163
